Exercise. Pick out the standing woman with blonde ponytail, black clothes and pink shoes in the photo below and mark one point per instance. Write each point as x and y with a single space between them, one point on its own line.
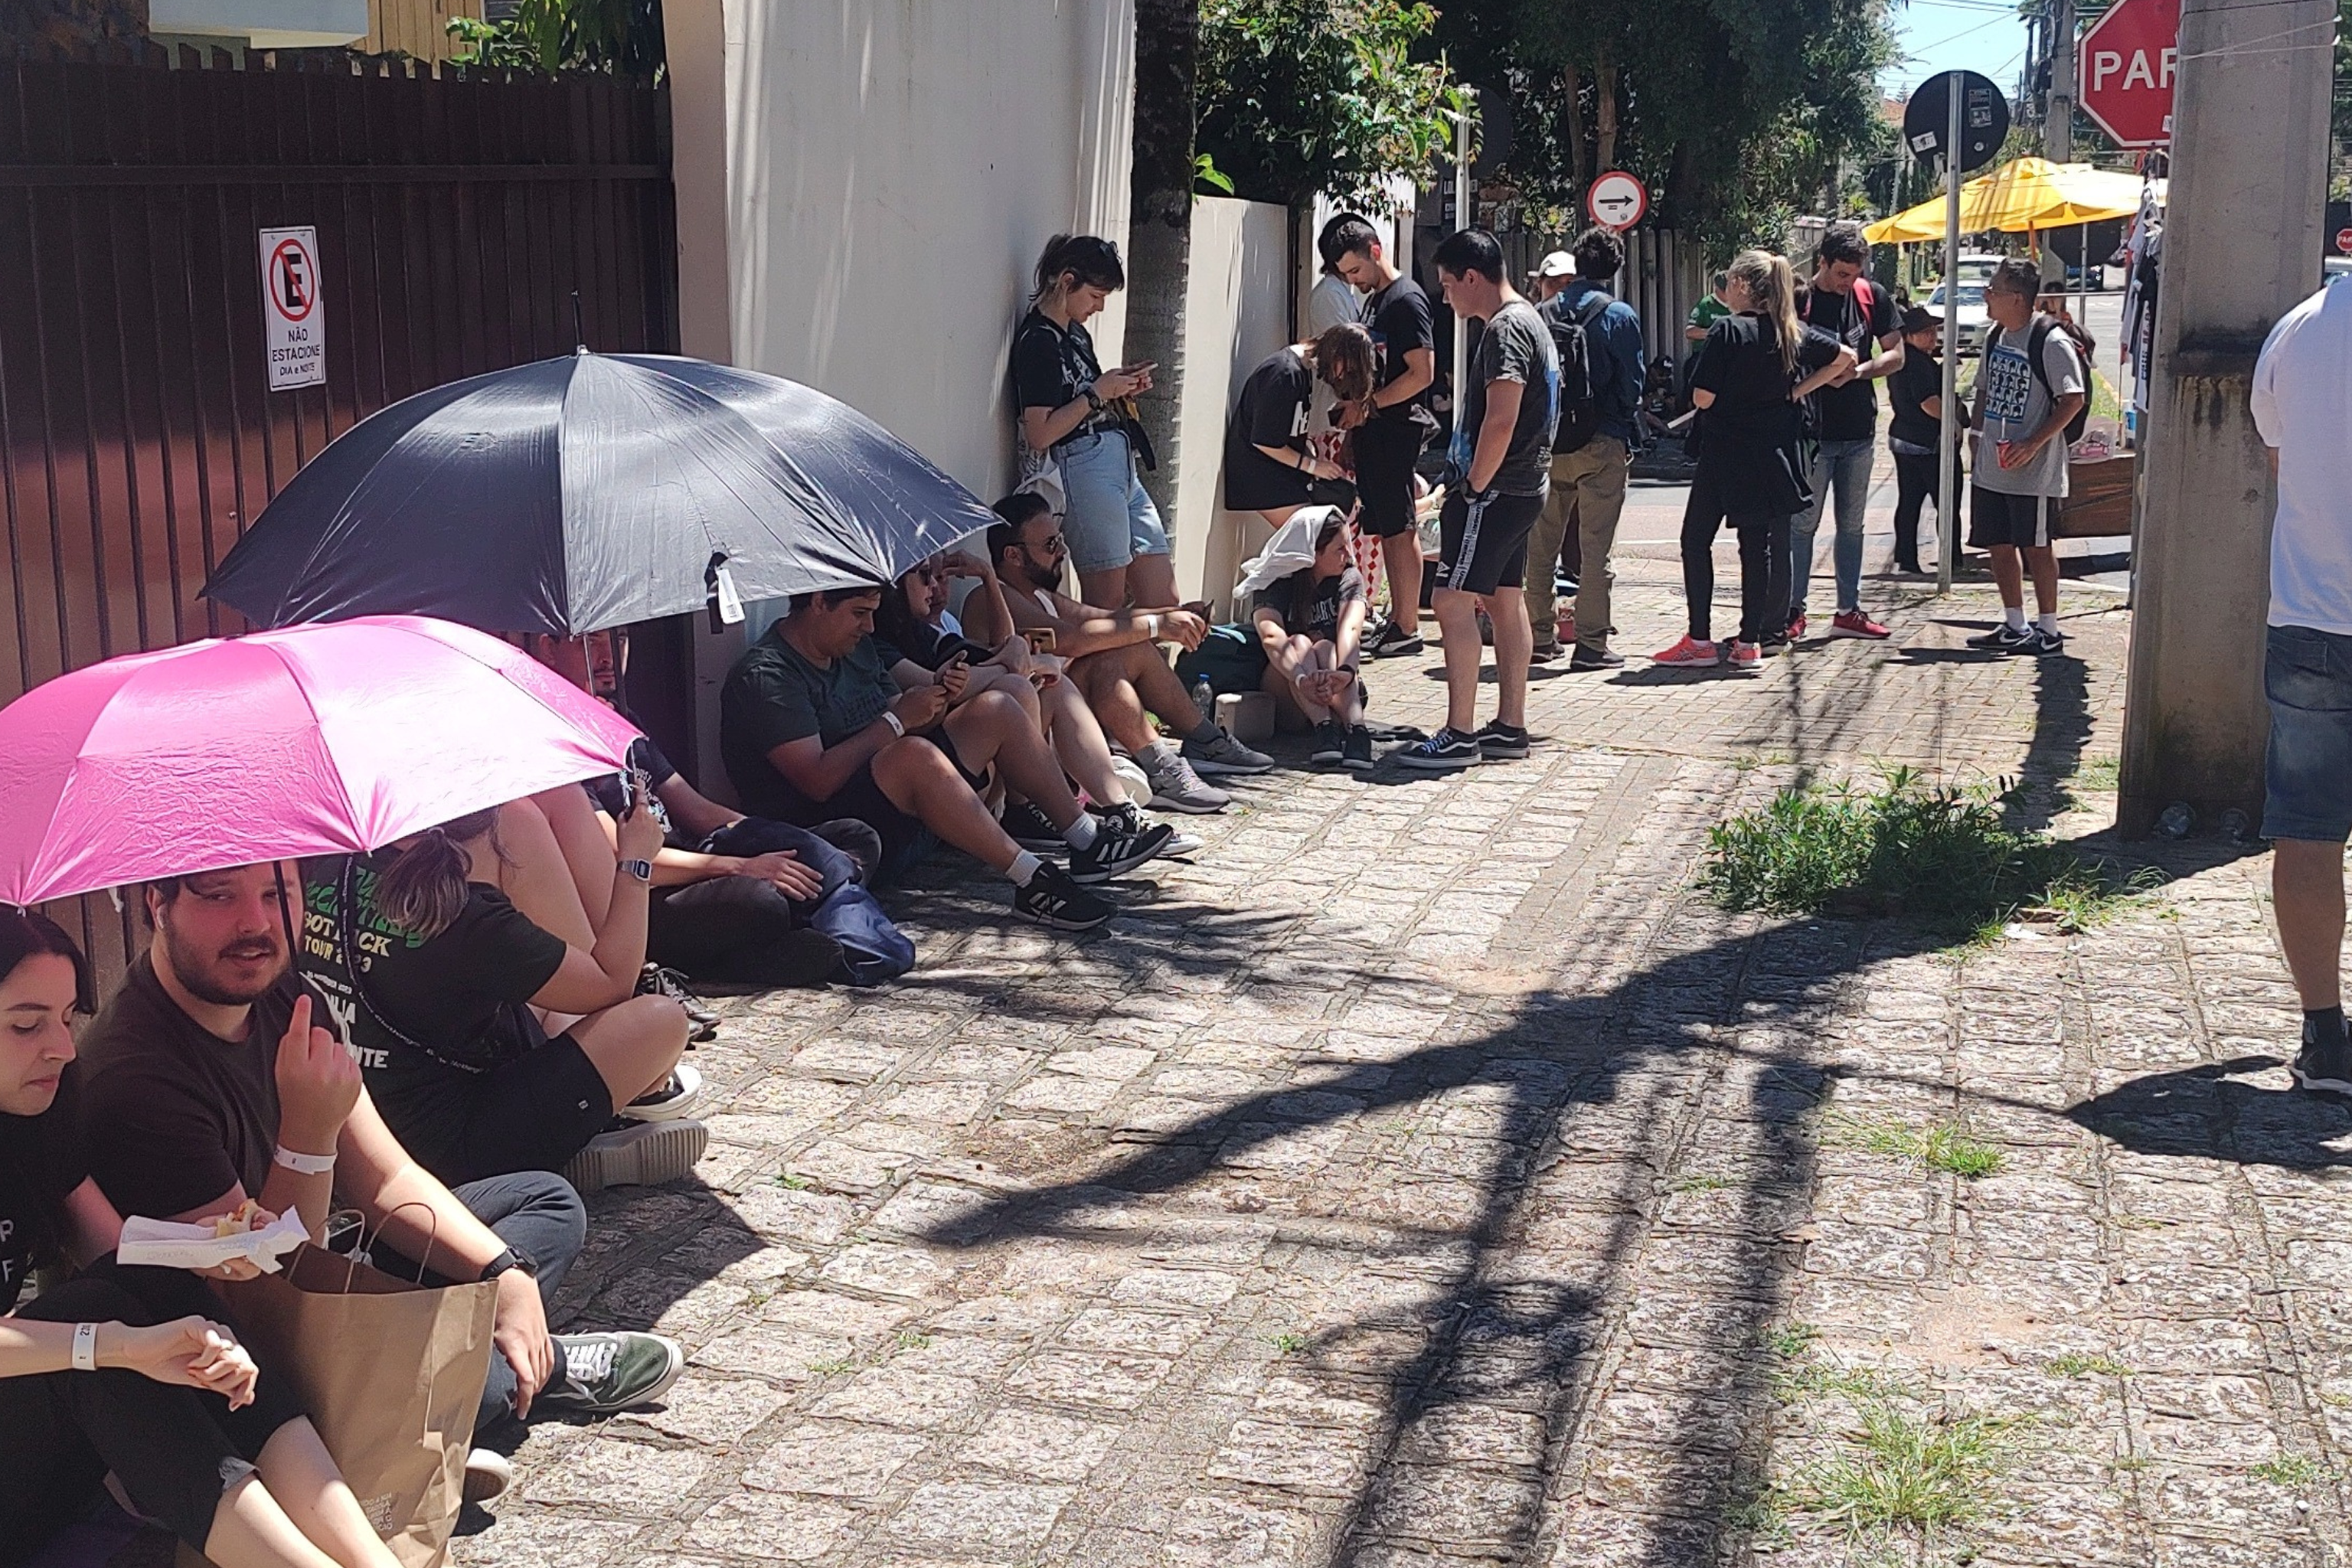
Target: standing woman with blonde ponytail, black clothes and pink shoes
1751 382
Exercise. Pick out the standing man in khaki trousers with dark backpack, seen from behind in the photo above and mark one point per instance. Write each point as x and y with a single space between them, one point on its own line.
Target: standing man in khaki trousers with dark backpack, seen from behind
1601 394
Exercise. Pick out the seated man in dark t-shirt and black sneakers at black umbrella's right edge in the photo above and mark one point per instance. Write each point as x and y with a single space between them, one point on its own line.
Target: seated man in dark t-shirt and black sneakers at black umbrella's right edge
813 725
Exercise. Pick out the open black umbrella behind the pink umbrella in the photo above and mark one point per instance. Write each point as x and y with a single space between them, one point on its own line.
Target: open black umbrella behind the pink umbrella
587 492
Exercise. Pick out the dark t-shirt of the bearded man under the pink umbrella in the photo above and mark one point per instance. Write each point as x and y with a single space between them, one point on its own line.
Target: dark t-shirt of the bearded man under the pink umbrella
175 1115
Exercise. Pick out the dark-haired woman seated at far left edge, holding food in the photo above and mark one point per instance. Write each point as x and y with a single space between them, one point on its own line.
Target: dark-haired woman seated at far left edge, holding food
147 1383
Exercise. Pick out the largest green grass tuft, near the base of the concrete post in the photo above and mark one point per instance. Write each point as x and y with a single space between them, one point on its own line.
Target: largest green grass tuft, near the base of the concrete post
1932 852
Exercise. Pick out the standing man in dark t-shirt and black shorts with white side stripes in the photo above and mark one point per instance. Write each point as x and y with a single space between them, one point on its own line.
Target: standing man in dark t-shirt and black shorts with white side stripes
1502 462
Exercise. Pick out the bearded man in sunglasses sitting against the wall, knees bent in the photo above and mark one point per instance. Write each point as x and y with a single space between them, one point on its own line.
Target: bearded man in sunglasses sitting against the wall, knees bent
1116 662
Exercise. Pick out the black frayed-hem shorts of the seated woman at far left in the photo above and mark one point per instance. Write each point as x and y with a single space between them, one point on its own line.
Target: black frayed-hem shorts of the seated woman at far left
173 1449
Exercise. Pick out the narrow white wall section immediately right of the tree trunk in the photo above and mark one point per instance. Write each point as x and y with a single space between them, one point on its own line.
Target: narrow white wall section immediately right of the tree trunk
1236 314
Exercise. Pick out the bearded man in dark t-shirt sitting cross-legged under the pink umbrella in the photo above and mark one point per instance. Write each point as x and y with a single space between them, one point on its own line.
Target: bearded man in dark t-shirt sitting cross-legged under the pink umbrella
208 1085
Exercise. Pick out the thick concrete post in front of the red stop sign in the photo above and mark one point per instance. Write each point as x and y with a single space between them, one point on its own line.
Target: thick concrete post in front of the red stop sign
2240 250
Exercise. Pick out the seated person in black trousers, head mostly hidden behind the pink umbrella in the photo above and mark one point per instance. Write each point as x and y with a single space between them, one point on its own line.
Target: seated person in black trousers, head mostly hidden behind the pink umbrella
737 899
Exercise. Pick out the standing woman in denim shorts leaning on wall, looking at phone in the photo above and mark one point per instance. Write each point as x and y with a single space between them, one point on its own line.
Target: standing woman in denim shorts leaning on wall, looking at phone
1081 420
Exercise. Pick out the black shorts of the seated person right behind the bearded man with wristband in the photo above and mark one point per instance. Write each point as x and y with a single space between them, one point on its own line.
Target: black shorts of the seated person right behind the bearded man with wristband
533 1113
